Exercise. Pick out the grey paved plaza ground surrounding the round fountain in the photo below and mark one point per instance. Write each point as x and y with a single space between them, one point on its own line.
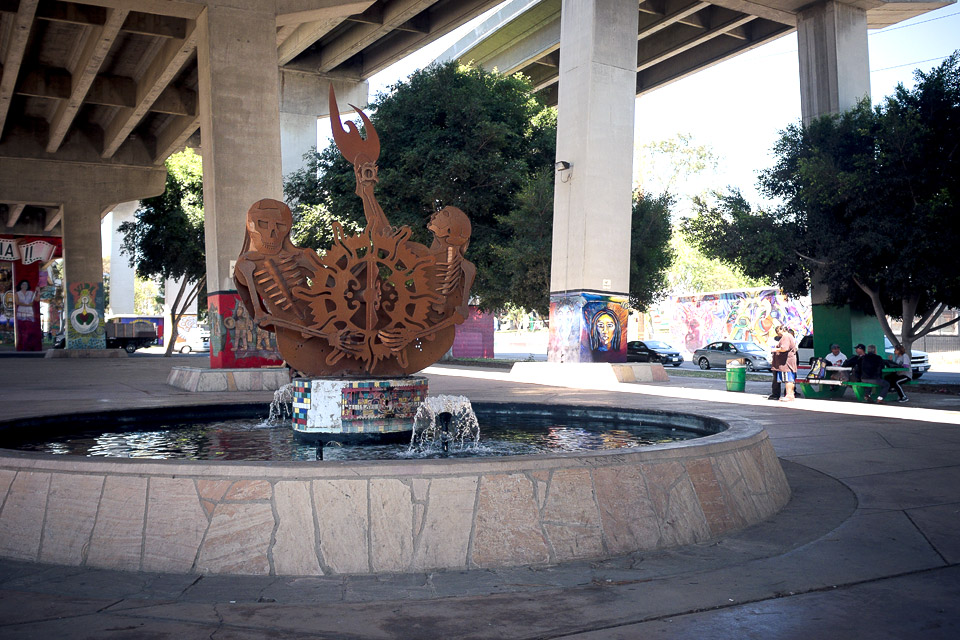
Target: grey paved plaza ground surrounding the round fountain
868 546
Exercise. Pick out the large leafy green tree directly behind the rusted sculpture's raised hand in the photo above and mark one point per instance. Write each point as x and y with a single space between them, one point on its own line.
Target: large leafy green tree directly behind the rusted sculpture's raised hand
449 135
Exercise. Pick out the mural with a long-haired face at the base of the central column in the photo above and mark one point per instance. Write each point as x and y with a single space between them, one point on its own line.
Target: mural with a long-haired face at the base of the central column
588 327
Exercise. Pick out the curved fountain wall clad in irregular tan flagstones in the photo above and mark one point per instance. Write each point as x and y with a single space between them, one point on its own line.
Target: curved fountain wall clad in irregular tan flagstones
368 517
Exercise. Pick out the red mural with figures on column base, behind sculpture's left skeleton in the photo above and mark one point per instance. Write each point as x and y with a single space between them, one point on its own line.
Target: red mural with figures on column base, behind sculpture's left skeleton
235 341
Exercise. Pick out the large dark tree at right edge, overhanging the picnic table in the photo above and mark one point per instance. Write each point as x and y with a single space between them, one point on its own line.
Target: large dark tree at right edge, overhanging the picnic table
868 202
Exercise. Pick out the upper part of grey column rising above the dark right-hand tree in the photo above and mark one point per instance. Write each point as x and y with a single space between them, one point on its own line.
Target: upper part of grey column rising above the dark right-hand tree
834 60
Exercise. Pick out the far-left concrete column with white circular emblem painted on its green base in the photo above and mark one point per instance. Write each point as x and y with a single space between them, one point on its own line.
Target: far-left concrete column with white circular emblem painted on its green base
83 274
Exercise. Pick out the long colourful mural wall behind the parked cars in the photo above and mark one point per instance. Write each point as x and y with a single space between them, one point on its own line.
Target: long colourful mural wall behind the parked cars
692 321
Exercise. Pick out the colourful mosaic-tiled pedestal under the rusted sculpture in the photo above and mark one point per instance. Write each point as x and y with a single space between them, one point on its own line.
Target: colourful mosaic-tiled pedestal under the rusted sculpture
337 406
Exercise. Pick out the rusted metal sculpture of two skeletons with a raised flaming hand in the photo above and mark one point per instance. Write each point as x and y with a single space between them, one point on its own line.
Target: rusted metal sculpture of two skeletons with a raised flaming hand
377 303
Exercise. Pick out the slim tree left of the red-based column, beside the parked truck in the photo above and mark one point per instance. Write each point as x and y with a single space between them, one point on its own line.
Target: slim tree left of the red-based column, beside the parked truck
166 239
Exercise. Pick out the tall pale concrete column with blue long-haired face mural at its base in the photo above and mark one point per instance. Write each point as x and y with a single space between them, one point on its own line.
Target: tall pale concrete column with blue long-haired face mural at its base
590 270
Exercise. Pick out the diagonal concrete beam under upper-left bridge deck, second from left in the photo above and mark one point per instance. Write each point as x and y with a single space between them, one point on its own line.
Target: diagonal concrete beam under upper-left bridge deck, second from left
98 43
